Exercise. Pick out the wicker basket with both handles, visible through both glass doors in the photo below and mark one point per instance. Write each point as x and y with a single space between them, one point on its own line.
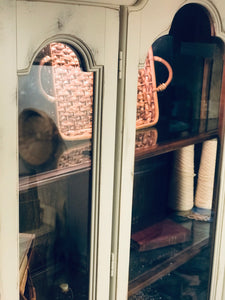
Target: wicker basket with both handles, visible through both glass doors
73 92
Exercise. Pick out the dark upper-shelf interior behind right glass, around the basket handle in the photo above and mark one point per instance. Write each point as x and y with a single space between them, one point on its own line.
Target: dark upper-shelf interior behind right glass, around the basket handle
190 104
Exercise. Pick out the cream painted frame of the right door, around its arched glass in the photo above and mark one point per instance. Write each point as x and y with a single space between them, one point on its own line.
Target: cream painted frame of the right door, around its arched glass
145 22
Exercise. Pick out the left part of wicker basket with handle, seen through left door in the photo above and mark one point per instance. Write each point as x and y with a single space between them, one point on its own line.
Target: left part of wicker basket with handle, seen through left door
73 92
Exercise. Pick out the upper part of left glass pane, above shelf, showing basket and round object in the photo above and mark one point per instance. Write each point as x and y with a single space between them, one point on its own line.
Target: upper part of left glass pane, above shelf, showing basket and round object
57 93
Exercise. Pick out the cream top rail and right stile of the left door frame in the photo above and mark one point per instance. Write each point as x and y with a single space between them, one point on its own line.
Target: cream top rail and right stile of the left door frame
97 28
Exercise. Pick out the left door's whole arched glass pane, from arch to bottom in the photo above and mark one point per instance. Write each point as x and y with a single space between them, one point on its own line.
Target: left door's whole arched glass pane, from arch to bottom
55 146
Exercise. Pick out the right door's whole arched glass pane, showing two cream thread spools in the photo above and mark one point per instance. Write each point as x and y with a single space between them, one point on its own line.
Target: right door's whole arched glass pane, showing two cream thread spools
174 203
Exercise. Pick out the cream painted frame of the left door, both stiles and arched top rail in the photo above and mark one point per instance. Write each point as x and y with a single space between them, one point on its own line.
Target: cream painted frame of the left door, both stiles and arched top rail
100 31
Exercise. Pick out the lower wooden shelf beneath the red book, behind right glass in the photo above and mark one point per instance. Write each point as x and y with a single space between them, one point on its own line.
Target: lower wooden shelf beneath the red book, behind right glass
160 267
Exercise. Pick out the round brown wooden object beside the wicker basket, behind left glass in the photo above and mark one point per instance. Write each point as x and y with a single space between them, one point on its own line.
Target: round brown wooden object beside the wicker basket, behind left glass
38 136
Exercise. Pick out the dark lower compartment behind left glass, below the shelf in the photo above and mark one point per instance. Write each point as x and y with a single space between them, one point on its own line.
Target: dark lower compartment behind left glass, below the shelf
61 227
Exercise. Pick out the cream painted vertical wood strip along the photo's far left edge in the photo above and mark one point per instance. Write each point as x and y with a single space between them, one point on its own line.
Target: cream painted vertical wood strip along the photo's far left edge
8 154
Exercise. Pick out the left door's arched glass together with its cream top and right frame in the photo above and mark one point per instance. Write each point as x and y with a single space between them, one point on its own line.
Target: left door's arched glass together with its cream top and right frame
63 150
